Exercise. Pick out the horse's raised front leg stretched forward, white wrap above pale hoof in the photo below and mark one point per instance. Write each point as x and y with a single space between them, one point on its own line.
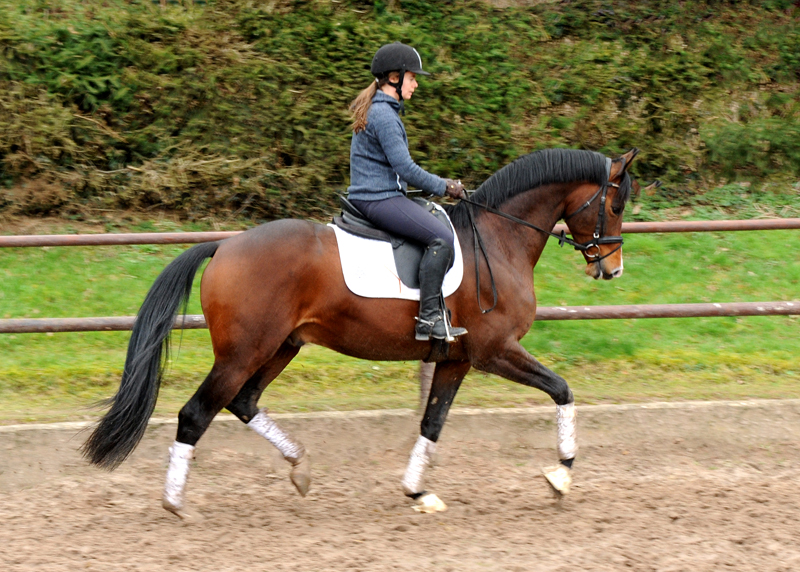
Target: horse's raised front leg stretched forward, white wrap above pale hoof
516 364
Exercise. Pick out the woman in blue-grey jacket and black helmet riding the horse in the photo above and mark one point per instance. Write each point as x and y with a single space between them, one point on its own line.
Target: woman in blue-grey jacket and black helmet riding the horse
381 168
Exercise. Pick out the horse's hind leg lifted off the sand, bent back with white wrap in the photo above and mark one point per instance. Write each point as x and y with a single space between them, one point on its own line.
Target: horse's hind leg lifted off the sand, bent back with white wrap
245 407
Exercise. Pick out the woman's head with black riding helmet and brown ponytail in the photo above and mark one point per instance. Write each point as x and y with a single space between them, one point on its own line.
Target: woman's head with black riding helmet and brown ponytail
395 67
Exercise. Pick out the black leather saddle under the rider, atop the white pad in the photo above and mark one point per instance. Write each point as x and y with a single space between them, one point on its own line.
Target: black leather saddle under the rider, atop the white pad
407 253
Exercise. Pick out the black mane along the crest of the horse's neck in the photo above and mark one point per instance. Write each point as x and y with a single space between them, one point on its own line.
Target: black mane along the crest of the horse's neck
534 170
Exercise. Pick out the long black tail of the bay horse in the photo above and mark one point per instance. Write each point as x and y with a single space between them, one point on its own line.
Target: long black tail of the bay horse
123 426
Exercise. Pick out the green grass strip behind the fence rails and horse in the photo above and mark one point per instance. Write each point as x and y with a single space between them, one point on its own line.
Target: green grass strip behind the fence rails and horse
47 377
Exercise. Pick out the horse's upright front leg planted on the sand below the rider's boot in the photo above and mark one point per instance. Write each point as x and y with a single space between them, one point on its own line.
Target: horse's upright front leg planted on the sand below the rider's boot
446 381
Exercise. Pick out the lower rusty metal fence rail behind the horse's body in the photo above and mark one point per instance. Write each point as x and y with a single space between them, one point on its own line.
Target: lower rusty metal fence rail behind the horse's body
547 313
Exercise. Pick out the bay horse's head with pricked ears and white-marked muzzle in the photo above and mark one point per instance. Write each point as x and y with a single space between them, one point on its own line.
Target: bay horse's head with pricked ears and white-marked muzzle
594 218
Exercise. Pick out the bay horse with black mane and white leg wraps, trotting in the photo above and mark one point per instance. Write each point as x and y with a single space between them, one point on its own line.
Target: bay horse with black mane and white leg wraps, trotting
270 290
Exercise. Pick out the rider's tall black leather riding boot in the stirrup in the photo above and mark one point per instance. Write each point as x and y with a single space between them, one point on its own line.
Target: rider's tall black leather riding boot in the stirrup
434 265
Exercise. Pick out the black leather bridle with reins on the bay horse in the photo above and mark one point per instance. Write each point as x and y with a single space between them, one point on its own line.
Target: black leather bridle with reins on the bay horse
584 247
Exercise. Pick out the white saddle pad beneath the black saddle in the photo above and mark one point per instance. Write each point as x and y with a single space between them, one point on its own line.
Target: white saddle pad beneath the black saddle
370 271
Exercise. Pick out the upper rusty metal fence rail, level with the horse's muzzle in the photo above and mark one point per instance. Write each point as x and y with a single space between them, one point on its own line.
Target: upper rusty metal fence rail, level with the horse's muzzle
196 237
